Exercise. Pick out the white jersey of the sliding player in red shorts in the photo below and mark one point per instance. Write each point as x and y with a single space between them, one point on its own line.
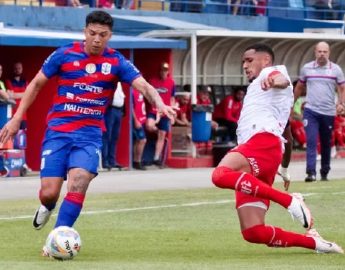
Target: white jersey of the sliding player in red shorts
265 111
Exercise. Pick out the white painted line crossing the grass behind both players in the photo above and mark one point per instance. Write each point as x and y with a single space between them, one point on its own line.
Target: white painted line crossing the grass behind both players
122 210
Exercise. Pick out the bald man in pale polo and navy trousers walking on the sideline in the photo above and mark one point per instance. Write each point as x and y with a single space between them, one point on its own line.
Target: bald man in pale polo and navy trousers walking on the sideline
320 79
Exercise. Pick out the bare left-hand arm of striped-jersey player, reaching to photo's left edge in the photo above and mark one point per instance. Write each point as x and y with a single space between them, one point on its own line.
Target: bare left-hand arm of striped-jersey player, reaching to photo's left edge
12 127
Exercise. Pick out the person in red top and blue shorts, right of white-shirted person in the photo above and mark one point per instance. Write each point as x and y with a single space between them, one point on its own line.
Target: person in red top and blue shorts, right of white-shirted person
139 136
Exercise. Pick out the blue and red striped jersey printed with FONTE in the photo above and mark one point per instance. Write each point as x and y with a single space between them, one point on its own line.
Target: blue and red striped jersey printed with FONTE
86 85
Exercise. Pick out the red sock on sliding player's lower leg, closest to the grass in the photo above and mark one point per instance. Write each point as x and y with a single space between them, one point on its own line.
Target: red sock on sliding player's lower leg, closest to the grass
276 237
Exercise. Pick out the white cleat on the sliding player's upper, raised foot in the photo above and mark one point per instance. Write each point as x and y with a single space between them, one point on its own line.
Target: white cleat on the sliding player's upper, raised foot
300 211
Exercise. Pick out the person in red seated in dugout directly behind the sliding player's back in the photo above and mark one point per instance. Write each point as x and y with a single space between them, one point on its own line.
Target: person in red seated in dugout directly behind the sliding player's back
227 112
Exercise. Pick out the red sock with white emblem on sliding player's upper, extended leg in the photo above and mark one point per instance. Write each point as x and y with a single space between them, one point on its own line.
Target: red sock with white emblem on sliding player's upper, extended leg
225 177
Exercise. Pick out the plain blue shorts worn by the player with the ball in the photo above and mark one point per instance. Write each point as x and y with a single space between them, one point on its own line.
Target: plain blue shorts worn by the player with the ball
63 151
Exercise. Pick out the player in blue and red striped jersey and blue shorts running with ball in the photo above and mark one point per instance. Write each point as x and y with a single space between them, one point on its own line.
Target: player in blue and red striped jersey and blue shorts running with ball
87 72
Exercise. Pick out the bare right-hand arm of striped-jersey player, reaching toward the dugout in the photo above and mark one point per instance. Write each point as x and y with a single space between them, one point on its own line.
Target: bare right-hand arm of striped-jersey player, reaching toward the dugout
151 94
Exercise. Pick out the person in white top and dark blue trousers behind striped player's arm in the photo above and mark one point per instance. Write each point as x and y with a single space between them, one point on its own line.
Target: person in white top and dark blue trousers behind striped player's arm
113 118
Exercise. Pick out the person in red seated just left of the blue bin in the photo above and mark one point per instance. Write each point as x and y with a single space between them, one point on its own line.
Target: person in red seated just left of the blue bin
183 115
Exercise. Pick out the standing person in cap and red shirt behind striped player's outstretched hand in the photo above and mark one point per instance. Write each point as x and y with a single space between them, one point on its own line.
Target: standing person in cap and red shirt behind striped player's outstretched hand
165 86
